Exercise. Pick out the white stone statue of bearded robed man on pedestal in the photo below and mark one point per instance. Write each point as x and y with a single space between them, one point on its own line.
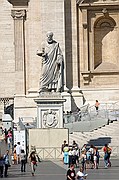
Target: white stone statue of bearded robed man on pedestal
52 66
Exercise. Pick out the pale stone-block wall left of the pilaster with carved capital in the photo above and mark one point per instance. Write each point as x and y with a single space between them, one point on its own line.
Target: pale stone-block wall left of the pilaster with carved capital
7 60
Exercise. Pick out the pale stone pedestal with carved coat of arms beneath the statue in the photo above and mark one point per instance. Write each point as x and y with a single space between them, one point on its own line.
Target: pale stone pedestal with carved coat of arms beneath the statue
50 110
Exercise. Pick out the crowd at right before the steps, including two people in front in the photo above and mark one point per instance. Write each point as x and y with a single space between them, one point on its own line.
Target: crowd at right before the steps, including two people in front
87 157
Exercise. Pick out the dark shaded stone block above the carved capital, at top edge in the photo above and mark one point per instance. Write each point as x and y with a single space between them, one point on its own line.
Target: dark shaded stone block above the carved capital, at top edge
19 3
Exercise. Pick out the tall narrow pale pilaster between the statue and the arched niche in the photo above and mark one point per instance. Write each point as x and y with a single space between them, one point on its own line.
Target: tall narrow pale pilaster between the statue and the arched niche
77 96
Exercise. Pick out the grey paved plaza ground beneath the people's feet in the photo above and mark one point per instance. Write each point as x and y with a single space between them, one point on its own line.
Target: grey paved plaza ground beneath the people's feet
55 170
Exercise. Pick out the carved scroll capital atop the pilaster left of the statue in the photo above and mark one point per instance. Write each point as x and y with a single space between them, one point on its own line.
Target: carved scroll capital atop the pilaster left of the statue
18 14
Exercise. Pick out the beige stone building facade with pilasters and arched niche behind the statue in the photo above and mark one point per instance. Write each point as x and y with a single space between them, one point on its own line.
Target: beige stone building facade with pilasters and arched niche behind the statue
88 33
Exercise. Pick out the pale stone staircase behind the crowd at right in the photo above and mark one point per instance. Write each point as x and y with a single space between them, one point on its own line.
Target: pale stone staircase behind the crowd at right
108 134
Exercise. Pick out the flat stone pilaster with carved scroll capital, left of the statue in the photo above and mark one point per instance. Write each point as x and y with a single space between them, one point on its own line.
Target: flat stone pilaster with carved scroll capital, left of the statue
19 43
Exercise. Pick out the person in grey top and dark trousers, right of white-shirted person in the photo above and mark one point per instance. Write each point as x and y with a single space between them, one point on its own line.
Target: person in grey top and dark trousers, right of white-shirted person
23 160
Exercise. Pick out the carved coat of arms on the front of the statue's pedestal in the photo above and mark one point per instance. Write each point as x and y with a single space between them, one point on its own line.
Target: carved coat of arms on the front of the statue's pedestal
50 119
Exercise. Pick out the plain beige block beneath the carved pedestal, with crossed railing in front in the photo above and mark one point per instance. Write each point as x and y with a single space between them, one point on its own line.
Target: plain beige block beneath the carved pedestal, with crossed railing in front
47 142
